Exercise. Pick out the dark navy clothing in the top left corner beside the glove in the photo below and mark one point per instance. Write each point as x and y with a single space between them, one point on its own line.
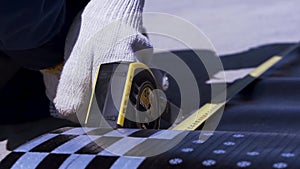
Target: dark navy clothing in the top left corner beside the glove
33 32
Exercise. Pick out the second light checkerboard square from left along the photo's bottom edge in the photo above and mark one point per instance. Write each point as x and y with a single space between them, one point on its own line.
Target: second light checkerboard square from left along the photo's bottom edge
77 161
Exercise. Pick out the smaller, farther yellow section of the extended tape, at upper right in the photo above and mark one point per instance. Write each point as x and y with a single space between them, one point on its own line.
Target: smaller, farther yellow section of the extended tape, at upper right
265 66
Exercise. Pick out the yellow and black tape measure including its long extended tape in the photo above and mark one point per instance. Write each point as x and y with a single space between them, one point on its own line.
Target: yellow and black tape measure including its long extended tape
125 95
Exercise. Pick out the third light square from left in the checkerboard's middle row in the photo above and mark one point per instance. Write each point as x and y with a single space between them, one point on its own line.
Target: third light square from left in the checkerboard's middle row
124 145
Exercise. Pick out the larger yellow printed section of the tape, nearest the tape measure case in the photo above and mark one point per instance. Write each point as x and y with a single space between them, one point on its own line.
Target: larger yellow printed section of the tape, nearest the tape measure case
198 117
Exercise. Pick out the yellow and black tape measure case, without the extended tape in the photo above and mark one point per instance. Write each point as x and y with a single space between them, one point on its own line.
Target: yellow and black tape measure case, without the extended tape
126 94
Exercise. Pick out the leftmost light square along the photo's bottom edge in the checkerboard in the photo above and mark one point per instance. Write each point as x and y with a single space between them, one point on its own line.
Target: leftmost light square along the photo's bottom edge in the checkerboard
29 160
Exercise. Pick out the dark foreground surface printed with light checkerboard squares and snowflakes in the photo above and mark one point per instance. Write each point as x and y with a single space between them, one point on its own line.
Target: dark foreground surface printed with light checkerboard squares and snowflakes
128 148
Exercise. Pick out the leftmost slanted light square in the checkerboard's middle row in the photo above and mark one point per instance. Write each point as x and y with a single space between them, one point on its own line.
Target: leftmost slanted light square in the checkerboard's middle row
30 145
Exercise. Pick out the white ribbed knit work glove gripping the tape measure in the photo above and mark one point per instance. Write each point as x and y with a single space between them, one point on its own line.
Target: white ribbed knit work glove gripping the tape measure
106 31
